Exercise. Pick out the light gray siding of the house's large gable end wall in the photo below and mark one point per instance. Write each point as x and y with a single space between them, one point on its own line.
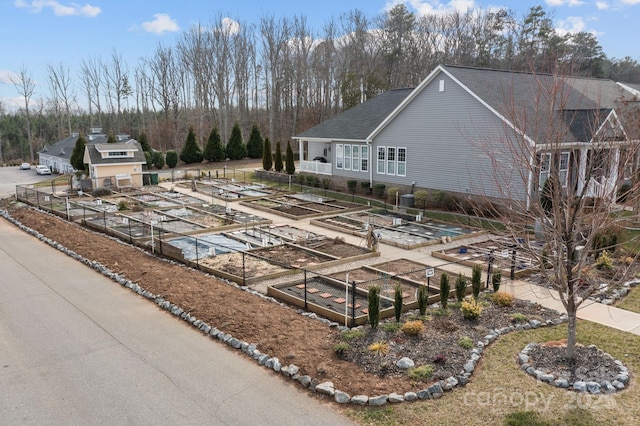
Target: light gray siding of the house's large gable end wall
446 135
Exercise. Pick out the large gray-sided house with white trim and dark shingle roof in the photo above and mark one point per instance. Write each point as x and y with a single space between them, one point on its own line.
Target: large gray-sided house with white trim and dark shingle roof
461 129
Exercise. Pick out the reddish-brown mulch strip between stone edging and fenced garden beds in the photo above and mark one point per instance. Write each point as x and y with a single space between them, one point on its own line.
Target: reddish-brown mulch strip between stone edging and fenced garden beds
278 330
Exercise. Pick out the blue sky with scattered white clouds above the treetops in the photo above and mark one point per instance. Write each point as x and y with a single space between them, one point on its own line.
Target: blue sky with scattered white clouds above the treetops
38 33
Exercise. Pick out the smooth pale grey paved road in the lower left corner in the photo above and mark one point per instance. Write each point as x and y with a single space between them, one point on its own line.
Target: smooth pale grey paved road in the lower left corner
77 348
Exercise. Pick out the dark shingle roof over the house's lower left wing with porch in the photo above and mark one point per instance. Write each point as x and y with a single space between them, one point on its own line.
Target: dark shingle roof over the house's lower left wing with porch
359 122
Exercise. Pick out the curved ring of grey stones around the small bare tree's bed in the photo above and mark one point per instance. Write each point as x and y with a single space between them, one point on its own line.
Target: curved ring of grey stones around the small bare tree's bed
592 387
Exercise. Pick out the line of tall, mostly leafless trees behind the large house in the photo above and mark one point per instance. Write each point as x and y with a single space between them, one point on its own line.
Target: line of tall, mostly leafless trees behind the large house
282 75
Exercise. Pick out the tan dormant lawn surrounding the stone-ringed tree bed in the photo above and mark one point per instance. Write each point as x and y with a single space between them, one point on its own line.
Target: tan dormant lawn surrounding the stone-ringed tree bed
499 391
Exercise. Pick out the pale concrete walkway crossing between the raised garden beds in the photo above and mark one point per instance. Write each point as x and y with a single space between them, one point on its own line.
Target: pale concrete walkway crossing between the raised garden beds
596 312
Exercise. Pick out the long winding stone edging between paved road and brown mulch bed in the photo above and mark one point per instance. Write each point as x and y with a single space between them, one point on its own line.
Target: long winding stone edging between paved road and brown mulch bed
291 371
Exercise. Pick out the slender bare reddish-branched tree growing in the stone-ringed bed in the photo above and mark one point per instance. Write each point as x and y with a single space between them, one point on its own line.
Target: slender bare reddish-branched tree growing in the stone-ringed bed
569 148
